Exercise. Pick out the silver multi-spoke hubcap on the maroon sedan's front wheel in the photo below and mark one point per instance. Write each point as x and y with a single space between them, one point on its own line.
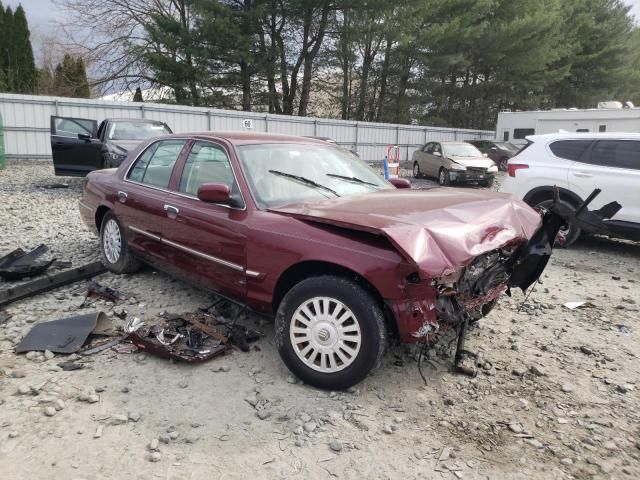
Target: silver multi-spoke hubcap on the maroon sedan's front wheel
325 334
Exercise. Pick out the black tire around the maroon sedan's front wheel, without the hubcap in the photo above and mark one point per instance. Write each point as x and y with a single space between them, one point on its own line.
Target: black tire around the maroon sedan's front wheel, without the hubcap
366 313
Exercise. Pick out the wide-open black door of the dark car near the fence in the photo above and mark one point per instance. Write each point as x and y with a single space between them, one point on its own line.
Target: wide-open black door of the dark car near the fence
75 149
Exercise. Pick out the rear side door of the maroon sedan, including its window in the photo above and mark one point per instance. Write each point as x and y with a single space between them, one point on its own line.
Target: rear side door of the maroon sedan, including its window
142 196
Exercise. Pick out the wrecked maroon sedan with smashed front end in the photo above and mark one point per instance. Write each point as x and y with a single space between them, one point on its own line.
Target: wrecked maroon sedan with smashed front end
305 231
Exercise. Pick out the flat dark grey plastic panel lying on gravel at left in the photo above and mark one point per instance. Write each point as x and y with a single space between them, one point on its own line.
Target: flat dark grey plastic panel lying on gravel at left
66 335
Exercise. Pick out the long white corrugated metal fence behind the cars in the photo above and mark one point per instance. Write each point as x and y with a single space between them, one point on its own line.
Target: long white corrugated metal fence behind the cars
27 123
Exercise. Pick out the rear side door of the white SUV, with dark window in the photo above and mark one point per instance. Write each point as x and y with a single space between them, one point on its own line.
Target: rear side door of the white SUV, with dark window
614 167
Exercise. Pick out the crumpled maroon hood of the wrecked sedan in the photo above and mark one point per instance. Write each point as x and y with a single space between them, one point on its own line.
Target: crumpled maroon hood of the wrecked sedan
440 229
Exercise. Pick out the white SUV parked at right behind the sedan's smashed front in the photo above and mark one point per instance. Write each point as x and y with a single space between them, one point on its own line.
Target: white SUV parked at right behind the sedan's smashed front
578 163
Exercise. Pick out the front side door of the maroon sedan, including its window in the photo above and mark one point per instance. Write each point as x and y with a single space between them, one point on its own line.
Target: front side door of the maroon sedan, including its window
208 240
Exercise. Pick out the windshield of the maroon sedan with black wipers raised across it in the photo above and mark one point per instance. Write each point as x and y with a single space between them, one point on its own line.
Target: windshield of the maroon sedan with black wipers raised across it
280 174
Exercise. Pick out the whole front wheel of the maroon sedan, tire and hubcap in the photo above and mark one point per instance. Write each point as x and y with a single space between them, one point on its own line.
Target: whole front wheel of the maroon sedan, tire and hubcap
330 332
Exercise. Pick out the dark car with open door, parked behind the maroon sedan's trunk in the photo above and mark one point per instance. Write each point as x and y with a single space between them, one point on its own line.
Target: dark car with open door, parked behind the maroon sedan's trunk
79 145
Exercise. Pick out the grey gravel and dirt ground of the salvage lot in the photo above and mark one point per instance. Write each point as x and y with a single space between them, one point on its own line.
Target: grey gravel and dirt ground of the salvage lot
555 396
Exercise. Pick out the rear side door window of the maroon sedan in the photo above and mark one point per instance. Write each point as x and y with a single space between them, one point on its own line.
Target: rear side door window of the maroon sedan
155 165
